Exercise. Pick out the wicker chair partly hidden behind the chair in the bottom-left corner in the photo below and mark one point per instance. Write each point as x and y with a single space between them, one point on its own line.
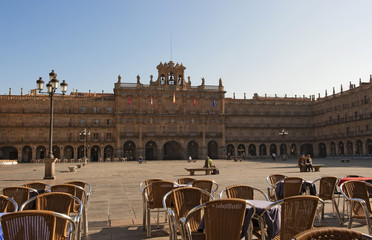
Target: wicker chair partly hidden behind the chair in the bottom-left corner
57 202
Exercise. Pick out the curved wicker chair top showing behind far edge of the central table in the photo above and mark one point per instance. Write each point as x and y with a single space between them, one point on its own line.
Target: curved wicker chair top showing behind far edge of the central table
242 191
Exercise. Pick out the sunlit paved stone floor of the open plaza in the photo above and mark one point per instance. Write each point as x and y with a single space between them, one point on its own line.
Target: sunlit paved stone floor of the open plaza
115 206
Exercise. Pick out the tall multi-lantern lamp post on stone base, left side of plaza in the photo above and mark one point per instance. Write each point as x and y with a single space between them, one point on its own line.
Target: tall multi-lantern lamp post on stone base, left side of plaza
51 86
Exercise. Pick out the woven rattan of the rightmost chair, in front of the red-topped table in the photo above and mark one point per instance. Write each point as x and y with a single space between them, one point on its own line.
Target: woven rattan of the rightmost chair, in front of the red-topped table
357 189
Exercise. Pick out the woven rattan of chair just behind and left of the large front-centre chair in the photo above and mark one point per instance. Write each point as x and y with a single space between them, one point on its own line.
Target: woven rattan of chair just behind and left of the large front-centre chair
185 199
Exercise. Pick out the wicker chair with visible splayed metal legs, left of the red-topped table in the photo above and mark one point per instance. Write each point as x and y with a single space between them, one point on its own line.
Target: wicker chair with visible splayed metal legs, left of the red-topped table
327 186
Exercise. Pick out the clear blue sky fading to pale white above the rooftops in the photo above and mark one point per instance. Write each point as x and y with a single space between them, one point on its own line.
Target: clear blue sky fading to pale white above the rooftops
255 46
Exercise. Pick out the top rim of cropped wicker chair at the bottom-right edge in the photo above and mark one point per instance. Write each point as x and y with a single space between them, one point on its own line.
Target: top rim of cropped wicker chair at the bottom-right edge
331 233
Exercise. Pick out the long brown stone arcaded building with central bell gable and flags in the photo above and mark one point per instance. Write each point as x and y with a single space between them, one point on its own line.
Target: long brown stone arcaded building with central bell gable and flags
170 118
